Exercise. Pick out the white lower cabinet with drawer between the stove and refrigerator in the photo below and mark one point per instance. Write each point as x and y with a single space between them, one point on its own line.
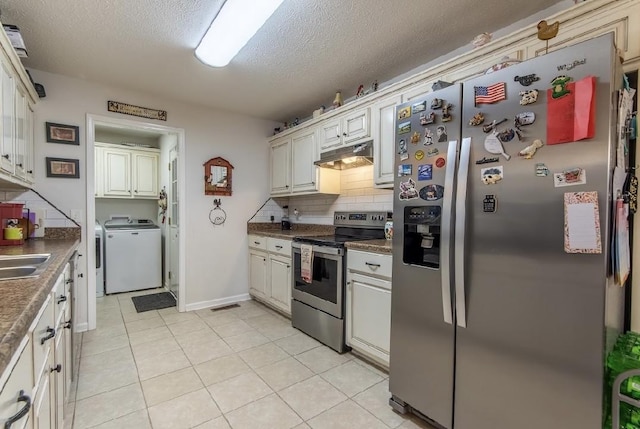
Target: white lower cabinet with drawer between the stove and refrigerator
368 311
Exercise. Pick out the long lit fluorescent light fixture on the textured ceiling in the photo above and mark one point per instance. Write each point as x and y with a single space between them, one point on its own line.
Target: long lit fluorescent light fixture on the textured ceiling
236 23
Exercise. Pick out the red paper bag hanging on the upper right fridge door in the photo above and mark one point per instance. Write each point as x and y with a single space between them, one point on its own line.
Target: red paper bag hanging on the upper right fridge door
571 116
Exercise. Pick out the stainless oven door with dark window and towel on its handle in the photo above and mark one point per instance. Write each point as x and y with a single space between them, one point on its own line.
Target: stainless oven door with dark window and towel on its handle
326 290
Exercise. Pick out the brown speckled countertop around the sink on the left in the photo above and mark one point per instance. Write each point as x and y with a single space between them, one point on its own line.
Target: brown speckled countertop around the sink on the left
23 298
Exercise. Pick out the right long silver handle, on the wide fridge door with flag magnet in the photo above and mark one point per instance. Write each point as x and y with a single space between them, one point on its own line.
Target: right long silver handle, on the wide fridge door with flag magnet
461 217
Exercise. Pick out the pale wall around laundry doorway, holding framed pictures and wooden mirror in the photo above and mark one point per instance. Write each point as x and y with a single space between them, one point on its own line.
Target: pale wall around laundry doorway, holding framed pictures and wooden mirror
216 256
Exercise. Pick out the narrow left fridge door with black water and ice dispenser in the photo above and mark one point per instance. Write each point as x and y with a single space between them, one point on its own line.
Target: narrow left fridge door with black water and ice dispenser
422 327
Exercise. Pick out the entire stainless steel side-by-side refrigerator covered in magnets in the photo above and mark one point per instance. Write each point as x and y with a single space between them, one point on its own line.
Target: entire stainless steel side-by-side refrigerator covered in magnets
494 324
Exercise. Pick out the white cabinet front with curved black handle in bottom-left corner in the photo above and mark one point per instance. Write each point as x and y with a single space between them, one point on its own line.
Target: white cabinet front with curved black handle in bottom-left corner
21 378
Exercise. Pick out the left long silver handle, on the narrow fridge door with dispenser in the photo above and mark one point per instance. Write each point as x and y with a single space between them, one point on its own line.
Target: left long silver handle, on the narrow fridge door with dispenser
447 210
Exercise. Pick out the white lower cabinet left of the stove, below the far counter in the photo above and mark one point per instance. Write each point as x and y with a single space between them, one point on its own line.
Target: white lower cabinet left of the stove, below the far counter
270 271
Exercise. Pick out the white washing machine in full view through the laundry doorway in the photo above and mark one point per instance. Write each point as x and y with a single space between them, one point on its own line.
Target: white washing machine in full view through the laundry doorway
133 255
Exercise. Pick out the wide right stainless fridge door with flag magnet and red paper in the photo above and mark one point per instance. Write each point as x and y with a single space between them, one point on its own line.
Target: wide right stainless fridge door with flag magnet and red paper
531 354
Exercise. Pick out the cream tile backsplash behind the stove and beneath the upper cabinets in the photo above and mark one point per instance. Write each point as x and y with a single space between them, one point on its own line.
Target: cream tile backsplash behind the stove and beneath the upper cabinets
357 193
